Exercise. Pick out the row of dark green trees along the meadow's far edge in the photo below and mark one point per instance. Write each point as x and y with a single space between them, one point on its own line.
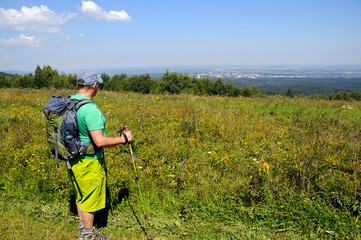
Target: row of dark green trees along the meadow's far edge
172 83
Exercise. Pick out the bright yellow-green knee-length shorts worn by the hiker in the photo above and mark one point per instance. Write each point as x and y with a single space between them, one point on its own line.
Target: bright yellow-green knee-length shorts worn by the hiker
89 181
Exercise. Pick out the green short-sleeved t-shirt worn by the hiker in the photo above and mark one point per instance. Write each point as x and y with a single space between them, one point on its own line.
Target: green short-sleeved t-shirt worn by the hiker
89 118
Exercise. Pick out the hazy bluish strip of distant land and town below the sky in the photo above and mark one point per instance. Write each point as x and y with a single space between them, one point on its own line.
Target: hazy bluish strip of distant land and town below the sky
223 71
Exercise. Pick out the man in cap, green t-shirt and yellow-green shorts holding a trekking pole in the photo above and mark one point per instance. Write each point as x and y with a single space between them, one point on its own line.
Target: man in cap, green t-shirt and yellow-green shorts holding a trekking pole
88 174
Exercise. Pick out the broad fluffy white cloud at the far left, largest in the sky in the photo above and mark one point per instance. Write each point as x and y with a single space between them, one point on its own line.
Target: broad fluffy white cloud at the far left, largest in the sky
39 19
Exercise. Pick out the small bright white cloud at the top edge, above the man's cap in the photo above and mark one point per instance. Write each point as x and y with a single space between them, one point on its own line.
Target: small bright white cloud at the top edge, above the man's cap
91 9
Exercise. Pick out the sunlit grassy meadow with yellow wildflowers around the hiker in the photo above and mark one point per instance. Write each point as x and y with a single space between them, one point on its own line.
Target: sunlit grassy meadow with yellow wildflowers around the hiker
209 168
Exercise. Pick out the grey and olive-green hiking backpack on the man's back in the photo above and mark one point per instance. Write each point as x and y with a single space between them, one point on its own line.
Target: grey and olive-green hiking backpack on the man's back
62 129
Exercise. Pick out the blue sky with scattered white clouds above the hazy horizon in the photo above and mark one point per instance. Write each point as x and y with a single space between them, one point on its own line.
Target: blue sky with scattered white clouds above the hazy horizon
73 35
